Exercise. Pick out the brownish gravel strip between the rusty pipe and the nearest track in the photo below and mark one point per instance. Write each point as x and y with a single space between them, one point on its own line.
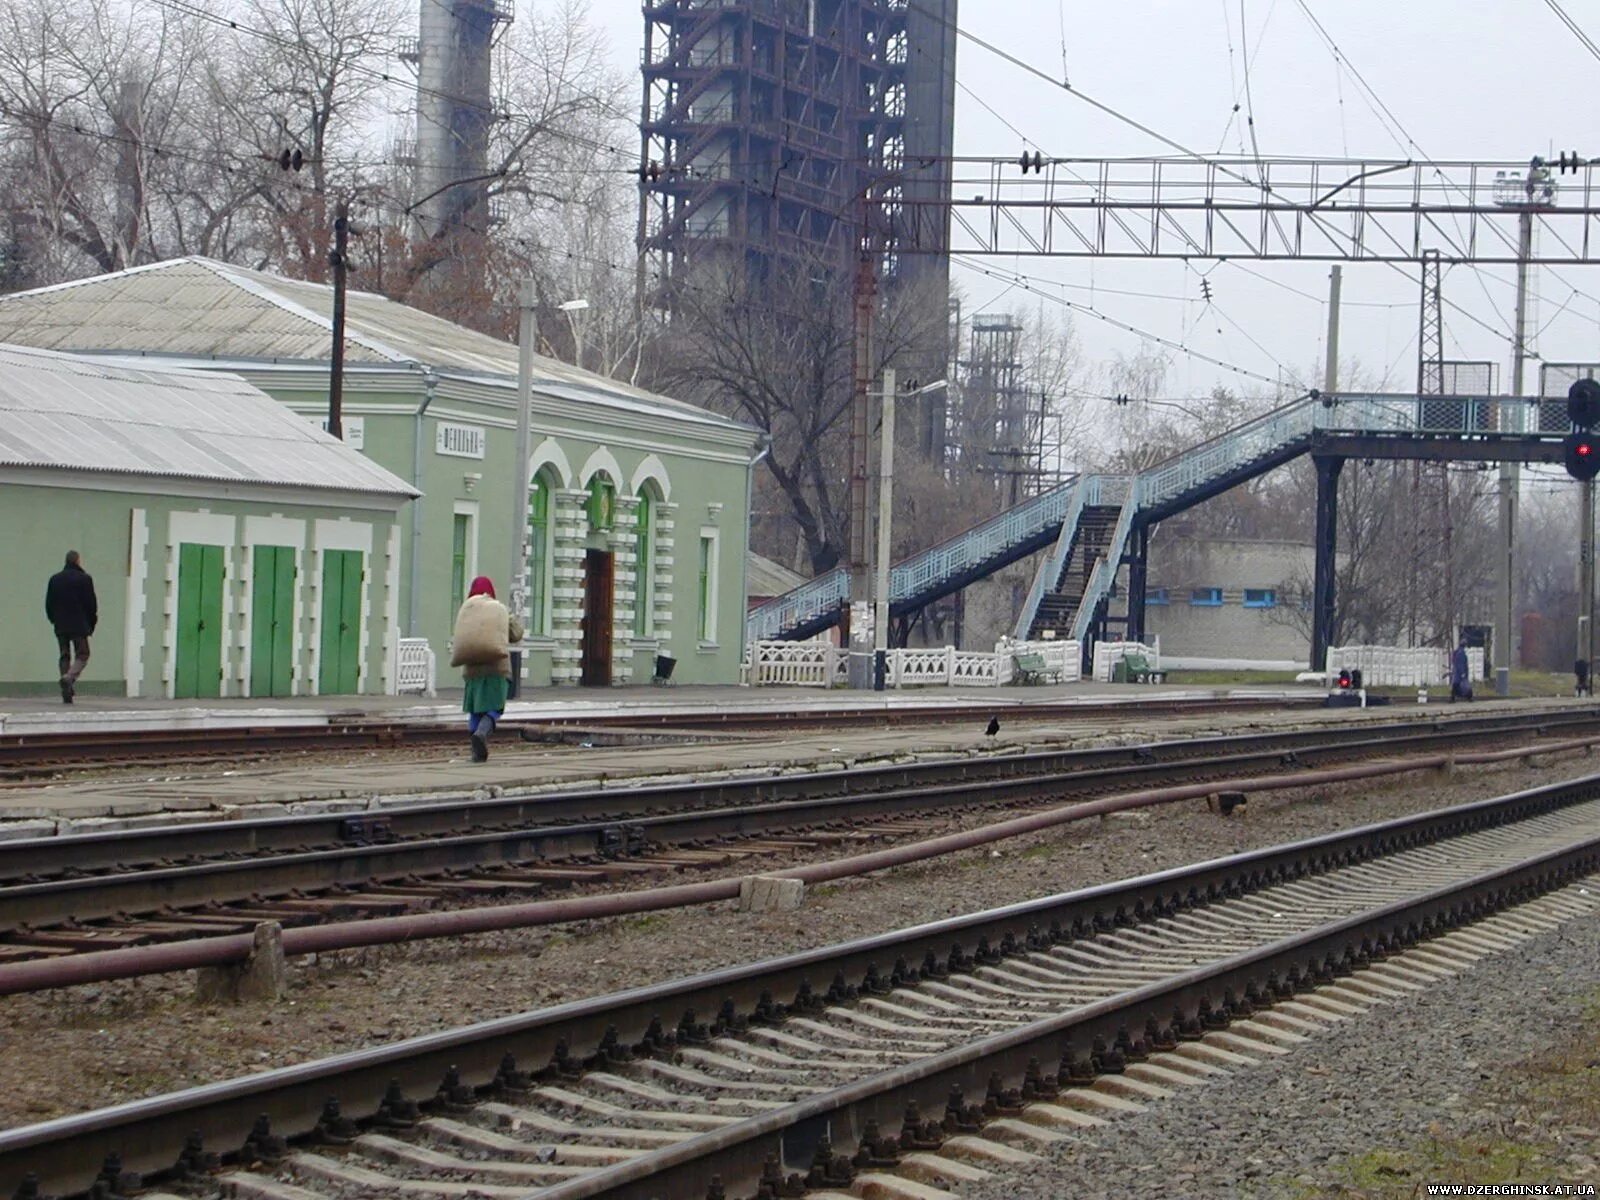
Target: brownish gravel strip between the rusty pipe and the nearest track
97 1046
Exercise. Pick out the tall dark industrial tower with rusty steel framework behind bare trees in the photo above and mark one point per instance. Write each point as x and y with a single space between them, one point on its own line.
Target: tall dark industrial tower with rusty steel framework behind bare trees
767 122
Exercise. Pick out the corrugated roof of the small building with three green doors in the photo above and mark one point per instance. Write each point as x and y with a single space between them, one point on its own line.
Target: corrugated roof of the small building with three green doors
90 414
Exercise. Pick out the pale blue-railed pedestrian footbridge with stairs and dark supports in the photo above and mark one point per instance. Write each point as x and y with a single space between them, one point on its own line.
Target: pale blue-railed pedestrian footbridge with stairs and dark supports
1097 526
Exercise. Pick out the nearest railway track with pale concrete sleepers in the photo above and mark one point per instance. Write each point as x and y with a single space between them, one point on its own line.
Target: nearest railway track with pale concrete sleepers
905 1055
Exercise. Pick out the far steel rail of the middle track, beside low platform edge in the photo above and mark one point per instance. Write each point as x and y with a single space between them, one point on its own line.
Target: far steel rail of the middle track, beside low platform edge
118 850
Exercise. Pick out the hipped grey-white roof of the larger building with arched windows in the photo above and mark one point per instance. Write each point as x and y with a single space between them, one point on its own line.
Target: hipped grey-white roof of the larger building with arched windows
202 308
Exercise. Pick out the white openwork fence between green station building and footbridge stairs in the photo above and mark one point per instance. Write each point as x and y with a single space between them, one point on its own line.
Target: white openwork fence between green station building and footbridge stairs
822 665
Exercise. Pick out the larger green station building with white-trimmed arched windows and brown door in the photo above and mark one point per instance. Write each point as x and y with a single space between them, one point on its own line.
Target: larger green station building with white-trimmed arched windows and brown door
631 513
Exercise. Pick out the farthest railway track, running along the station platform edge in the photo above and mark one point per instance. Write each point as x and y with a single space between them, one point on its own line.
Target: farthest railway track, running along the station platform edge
25 756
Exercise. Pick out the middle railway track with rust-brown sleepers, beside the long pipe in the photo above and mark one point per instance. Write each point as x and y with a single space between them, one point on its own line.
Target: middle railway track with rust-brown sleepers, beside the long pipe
103 892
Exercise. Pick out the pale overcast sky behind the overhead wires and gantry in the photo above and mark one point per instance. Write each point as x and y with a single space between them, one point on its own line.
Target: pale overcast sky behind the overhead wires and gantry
1466 79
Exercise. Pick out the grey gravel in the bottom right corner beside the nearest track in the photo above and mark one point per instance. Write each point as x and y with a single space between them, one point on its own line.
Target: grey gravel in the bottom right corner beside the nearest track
1428 1071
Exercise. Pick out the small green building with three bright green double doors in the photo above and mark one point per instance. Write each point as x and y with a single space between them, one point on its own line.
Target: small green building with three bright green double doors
236 550
